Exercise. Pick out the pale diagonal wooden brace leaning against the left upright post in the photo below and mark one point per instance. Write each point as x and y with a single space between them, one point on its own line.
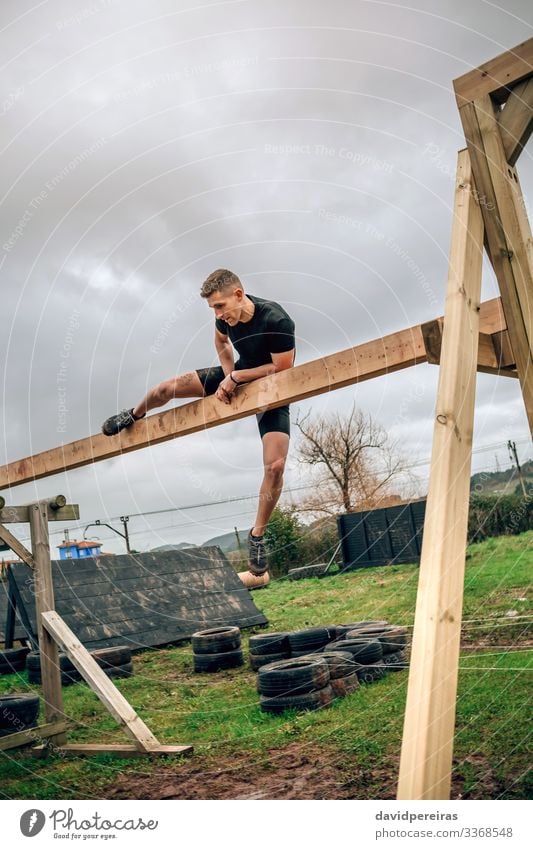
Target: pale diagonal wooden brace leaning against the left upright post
98 681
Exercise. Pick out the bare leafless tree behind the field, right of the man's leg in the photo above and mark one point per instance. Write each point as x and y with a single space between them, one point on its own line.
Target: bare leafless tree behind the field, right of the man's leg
357 462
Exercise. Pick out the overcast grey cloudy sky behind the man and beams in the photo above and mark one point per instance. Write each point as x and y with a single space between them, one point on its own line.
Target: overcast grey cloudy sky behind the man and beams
309 147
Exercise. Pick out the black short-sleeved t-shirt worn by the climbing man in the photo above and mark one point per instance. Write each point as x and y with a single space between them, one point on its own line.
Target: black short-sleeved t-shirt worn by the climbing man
269 331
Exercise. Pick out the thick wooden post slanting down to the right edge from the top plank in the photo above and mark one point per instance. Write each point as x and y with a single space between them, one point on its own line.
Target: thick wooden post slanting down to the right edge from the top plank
508 234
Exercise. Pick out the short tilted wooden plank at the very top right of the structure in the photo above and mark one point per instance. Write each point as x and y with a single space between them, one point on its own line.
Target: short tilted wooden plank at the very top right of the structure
497 76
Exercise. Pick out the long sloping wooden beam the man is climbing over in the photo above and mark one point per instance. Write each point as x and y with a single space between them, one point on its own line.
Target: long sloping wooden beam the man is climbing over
354 365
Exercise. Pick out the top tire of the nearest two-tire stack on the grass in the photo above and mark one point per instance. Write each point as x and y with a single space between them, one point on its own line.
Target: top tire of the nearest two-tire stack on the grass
292 677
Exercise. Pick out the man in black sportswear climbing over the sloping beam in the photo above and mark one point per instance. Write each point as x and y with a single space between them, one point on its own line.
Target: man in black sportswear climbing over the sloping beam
263 335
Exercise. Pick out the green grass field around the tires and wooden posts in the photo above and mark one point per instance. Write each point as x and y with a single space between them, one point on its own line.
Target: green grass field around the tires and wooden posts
359 736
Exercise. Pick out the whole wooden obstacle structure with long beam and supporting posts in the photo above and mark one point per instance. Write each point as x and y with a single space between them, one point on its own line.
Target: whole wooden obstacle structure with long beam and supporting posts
495 104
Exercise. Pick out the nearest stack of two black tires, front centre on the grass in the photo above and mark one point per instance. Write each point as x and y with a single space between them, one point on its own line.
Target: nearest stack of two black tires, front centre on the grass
296 683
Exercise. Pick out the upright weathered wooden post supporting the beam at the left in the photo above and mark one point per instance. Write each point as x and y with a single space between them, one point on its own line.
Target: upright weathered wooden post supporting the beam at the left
44 600
